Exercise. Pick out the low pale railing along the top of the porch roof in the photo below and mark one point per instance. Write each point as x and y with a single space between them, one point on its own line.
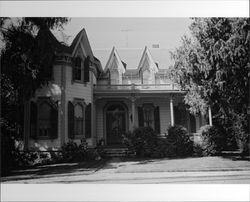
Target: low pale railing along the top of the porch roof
168 86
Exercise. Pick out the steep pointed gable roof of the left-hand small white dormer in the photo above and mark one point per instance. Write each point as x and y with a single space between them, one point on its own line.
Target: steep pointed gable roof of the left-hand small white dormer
114 57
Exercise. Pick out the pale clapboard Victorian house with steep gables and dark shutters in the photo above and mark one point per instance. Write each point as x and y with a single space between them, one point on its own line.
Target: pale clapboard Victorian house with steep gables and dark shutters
100 103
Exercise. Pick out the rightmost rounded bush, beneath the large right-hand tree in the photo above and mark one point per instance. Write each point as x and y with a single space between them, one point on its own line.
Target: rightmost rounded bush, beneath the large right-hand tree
212 140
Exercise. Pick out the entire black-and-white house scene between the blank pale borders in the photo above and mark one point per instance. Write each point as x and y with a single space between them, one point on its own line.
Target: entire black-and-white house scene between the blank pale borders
114 100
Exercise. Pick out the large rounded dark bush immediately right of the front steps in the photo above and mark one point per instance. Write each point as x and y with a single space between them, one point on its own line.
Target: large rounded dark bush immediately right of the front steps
143 141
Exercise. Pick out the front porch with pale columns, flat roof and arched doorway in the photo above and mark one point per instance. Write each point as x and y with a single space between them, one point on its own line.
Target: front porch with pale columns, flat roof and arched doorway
121 108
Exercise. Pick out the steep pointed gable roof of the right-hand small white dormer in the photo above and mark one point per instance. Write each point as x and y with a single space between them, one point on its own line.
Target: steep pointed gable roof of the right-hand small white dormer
148 59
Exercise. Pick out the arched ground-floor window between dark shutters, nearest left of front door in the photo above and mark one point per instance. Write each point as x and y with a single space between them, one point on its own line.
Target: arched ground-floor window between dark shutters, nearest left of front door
78 118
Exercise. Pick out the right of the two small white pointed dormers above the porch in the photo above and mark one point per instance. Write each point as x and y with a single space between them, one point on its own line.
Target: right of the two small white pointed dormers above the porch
147 68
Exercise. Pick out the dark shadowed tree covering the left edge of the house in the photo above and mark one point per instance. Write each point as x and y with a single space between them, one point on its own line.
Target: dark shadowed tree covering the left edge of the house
26 61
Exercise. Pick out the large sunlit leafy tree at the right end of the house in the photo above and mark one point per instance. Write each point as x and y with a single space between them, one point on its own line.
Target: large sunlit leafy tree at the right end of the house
213 67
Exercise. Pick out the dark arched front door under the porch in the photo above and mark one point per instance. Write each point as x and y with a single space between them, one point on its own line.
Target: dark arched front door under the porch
115 124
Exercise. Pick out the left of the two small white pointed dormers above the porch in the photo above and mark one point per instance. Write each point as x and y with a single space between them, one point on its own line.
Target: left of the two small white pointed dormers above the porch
115 68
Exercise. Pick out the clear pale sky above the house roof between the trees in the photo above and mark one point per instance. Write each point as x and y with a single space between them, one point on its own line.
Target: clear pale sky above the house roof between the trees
104 33
